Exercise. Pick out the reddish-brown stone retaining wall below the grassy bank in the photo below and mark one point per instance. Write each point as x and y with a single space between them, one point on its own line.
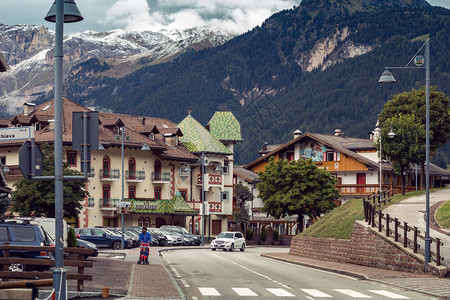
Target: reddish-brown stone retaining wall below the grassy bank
367 247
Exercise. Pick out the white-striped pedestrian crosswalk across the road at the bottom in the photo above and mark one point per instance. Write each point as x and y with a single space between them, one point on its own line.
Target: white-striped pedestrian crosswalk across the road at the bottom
314 293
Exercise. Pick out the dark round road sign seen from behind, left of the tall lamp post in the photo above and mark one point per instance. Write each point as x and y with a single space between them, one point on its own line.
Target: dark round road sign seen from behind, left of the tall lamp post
25 160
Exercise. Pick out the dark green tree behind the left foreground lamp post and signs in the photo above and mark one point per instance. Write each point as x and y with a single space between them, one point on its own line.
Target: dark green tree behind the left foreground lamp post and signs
38 197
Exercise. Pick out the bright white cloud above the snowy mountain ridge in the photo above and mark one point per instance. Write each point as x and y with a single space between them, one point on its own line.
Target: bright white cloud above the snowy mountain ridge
233 15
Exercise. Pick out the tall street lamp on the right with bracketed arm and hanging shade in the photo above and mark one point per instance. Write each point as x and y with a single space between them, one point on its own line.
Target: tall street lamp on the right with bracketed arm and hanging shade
387 77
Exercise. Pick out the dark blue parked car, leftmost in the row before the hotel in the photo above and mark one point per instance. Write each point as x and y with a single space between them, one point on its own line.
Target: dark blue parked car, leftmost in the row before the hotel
101 237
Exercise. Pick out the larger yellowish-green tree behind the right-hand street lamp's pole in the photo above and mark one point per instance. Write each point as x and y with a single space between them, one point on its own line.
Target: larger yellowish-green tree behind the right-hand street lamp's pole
413 103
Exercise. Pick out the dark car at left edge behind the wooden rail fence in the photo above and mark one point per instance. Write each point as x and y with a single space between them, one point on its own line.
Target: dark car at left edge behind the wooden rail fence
22 233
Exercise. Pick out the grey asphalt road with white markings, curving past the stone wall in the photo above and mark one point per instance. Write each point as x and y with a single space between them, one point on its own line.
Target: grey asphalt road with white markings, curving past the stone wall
204 274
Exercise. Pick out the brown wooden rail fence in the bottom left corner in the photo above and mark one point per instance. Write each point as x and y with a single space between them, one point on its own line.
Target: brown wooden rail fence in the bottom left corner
76 258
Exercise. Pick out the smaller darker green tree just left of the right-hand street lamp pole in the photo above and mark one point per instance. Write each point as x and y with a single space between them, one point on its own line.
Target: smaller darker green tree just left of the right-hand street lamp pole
406 147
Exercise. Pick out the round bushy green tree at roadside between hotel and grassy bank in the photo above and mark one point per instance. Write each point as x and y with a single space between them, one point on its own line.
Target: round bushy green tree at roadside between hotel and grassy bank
296 188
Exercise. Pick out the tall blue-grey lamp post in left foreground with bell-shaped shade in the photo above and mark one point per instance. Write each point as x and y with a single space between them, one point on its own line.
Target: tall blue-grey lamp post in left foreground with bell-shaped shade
62 11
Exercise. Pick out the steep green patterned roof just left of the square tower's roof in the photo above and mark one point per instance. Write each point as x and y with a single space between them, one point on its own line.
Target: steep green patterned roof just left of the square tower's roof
197 139
